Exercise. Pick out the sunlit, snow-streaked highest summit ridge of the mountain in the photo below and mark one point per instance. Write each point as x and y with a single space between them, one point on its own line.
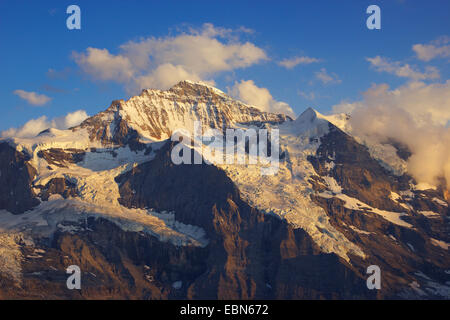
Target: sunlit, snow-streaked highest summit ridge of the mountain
155 114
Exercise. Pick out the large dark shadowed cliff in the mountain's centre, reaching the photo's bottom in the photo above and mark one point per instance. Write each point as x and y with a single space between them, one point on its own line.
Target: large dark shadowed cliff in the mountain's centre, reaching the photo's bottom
250 255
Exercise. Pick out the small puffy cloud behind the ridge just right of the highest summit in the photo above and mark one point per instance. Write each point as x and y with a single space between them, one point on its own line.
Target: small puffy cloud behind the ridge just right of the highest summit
261 98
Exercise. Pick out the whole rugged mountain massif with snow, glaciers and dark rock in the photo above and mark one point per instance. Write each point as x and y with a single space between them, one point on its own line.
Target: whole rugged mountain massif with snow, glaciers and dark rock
107 196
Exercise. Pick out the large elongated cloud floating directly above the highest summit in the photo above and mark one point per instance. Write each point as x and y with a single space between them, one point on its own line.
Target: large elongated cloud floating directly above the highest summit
160 63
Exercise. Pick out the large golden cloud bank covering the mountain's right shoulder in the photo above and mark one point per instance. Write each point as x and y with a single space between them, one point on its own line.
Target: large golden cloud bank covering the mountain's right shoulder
416 115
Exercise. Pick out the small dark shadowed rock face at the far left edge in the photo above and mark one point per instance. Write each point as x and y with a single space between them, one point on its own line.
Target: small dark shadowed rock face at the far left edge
16 176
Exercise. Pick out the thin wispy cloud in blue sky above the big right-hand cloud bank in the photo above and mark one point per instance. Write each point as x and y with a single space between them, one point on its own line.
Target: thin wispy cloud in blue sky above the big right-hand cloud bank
403 70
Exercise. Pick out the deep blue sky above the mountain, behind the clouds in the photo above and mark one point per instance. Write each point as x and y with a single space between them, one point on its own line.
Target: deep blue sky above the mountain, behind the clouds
39 54
